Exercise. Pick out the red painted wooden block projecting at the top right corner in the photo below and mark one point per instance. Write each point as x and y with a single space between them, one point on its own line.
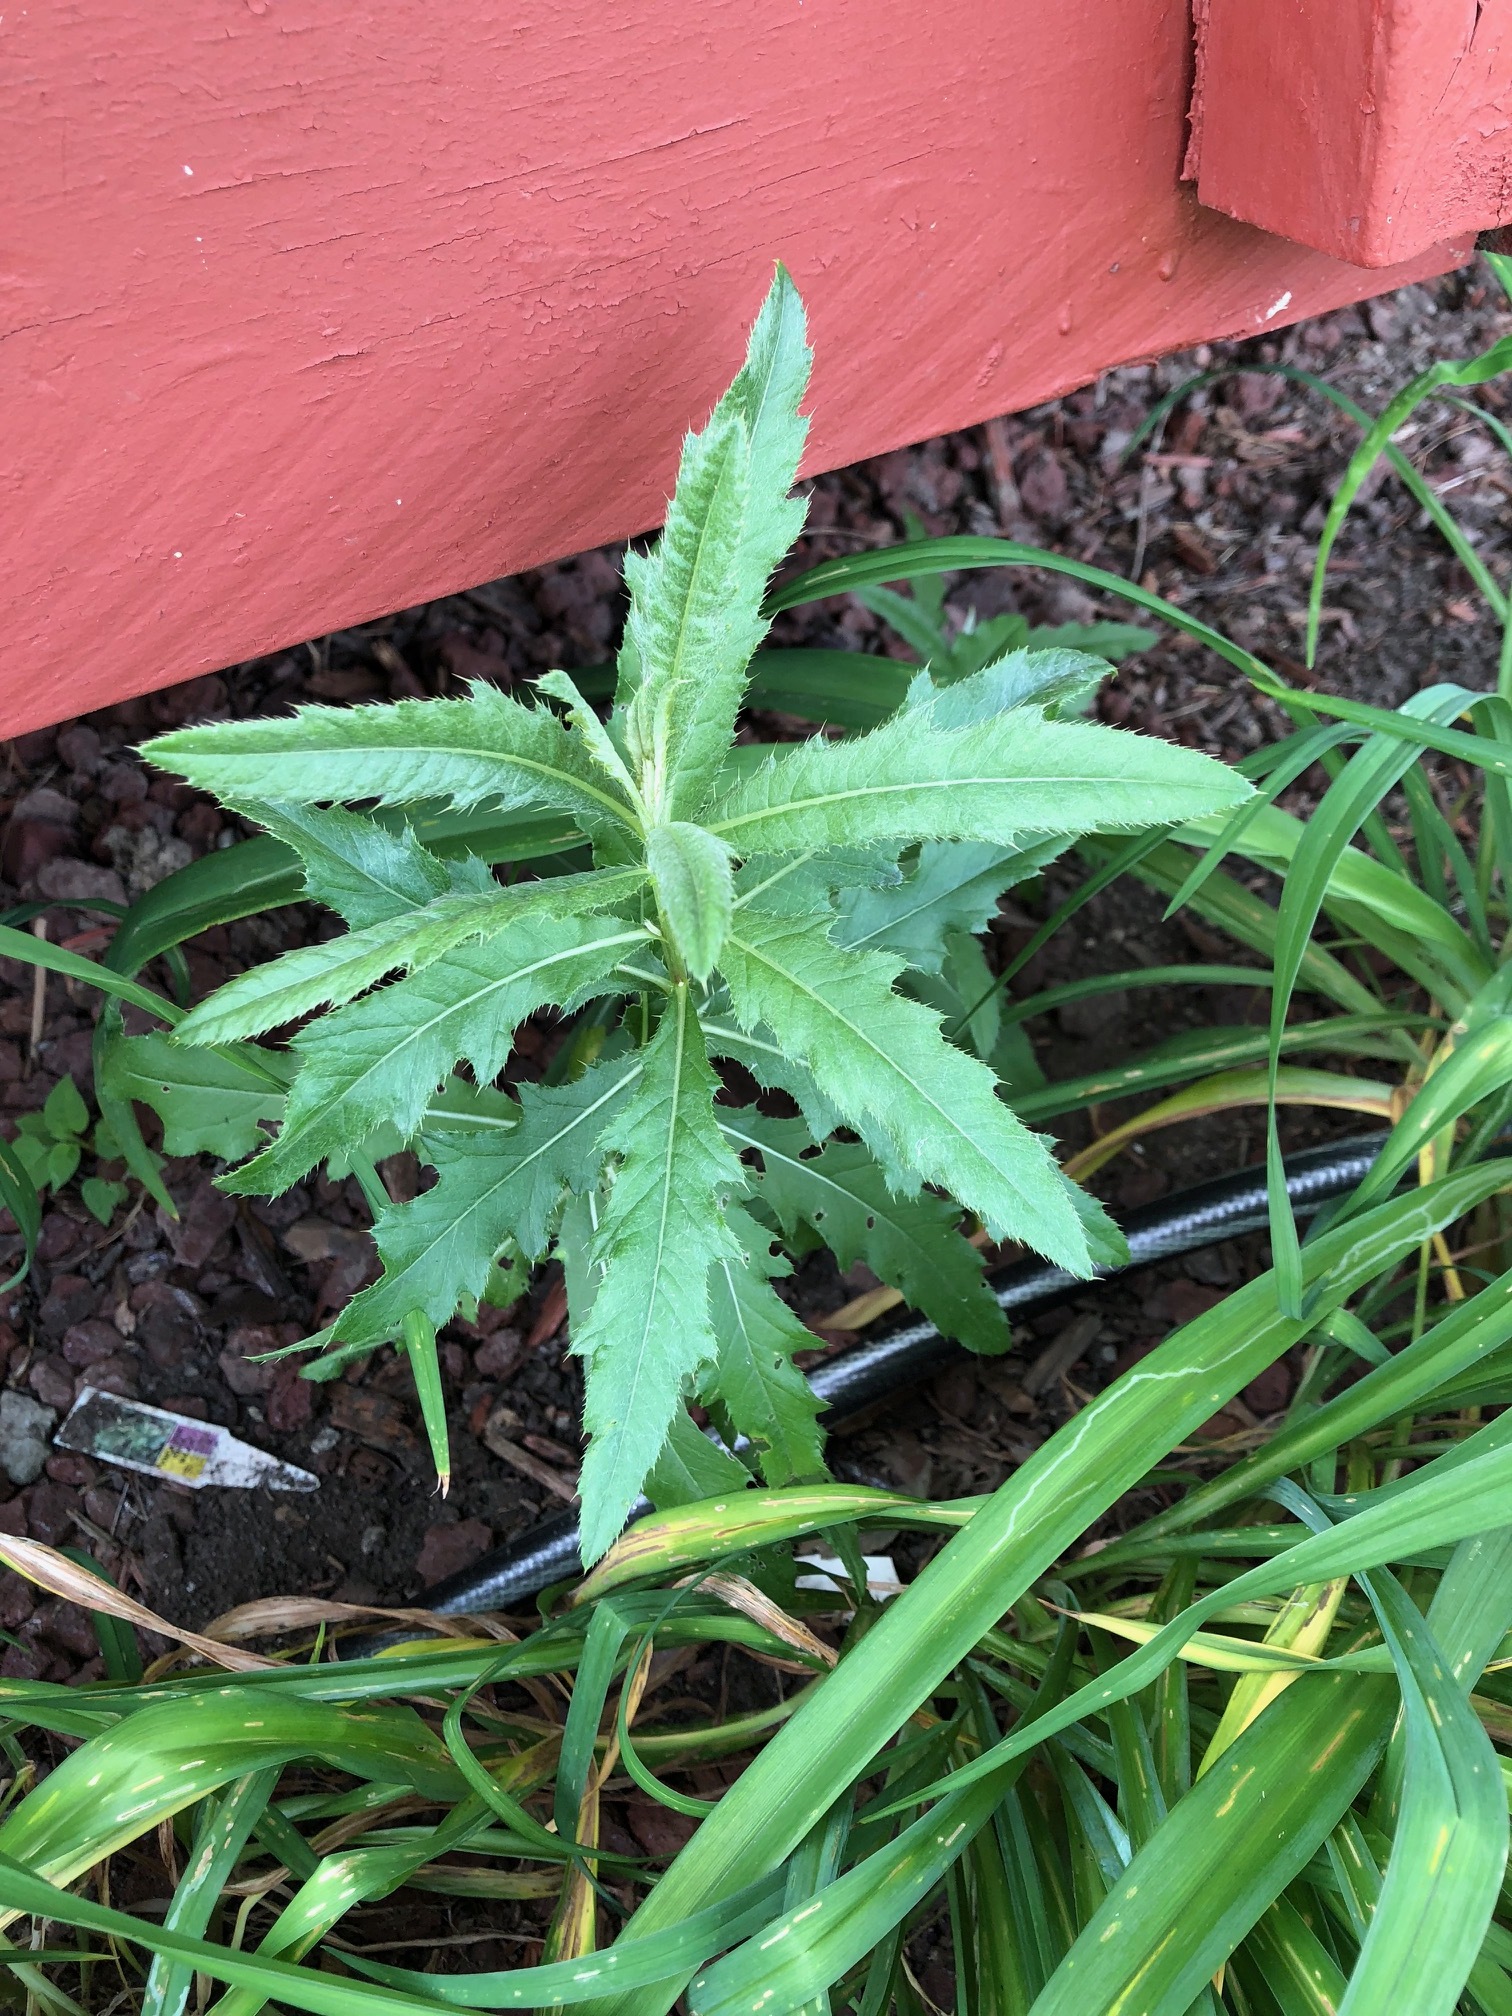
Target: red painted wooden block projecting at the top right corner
1370 130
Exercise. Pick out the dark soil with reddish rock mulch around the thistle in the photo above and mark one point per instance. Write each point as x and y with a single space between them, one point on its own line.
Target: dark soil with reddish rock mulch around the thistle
1221 517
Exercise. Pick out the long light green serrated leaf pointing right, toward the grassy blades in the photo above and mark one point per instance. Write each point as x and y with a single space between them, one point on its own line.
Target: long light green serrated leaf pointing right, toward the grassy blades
995 781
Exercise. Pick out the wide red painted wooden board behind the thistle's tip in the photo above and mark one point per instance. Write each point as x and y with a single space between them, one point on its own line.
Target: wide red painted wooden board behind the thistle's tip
313 311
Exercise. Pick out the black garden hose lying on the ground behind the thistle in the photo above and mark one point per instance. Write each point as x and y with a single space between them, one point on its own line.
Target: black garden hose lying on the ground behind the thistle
878 1370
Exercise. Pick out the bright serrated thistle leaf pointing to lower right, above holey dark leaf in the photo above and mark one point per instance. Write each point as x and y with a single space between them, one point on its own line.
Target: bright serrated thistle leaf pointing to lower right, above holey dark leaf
894 1078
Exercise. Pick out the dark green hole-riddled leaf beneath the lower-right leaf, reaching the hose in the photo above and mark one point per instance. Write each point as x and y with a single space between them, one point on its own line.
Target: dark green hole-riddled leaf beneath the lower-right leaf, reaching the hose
910 1243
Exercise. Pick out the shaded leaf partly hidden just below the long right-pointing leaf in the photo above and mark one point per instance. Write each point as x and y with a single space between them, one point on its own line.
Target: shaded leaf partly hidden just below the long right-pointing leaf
955 886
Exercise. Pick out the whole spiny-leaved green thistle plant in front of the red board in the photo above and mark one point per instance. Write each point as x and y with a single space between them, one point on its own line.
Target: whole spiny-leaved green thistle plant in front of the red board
747 906
